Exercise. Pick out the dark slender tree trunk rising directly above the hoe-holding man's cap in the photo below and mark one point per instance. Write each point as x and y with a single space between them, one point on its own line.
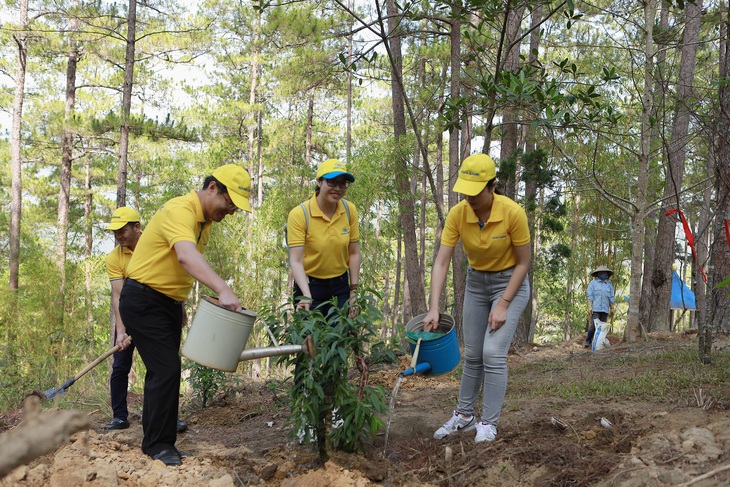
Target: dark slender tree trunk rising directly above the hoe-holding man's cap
126 103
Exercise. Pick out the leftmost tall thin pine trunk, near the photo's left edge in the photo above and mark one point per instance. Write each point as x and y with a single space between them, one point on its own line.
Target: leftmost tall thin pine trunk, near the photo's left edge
16 203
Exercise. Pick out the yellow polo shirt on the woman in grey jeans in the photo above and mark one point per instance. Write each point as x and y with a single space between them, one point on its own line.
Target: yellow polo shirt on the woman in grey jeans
489 248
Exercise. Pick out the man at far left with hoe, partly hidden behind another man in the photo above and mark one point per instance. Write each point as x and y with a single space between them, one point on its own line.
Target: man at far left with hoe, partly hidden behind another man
125 224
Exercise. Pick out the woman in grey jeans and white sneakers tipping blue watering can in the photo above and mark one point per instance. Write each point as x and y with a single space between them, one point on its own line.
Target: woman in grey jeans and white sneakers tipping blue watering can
495 236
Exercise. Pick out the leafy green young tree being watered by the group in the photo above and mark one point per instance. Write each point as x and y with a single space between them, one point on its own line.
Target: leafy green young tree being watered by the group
321 384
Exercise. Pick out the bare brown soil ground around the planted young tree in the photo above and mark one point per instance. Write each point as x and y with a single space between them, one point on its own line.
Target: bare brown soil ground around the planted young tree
243 439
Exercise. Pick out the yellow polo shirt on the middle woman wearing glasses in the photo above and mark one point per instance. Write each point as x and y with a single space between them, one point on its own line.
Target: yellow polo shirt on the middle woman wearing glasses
327 241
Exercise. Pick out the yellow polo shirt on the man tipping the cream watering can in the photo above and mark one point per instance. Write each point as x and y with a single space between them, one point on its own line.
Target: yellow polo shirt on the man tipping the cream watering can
154 262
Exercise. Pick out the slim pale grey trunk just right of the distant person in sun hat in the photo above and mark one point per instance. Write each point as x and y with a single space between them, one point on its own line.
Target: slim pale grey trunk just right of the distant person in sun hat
634 331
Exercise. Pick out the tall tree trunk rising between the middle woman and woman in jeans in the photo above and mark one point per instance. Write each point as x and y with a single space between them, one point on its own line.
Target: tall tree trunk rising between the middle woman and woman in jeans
414 276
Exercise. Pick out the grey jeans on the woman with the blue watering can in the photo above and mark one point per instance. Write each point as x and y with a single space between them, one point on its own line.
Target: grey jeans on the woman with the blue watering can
485 353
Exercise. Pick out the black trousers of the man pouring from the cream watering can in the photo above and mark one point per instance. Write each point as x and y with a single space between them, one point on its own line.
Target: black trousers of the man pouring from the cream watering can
155 323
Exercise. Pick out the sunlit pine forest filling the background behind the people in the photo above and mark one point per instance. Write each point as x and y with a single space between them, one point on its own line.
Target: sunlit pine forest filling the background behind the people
602 118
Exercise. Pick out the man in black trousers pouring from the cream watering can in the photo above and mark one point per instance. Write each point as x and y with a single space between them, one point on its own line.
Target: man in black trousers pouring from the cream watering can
166 262
